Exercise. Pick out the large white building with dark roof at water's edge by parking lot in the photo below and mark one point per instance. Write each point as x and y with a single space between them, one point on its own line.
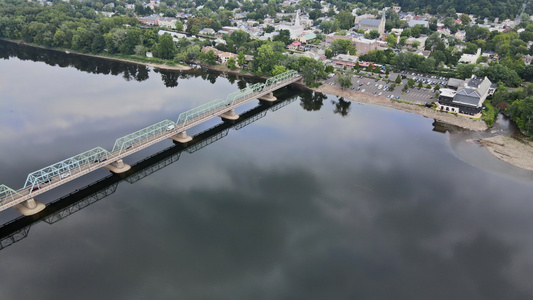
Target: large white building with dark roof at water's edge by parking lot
469 98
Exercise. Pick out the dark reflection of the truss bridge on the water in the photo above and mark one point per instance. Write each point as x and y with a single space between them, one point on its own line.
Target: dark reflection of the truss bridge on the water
65 206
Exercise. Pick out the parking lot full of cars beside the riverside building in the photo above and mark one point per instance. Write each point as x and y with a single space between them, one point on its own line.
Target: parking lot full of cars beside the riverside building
360 83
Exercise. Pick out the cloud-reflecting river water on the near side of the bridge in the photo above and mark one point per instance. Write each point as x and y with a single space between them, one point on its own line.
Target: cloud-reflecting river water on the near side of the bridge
299 205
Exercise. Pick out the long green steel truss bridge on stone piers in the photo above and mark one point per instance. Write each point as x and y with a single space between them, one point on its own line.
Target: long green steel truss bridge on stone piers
54 175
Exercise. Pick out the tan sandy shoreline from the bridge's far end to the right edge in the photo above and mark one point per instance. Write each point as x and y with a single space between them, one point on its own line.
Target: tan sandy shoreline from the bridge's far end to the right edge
514 152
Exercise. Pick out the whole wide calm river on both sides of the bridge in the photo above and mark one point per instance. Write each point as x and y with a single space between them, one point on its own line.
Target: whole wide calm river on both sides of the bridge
319 198
